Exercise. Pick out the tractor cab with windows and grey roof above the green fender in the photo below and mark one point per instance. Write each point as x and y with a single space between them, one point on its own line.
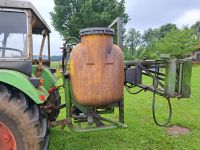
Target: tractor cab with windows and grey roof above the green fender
20 23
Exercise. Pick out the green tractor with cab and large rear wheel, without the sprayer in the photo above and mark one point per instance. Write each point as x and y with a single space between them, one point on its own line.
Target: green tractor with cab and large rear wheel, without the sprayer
27 86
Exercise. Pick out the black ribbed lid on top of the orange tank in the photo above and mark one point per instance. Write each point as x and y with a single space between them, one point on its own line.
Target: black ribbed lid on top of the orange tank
97 30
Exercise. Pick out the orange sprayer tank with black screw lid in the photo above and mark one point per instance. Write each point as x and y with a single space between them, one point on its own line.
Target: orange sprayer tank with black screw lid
97 68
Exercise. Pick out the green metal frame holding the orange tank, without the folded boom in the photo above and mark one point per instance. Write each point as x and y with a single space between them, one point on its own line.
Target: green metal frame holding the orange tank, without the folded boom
103 123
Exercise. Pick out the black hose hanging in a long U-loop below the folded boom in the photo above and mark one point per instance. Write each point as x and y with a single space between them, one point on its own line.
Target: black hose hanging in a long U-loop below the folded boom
154 113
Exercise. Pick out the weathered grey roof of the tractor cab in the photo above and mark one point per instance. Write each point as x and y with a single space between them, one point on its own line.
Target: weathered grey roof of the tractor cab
18 4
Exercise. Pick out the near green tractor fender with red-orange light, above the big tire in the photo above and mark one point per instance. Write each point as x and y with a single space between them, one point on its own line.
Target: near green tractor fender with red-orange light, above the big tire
21 82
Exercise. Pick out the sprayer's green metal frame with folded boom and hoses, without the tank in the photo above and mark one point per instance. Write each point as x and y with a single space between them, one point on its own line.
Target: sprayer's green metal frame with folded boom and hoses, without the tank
175 82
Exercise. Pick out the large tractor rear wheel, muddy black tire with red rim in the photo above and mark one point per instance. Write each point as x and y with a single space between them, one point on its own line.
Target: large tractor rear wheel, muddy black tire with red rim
21 122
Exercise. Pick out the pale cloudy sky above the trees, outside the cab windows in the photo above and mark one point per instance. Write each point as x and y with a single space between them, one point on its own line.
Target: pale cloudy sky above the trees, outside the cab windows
144 14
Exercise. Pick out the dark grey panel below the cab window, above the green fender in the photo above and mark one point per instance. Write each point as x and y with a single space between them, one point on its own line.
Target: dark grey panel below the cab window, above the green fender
23 66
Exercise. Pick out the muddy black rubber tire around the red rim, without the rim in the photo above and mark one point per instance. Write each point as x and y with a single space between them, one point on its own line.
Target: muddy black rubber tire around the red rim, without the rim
31 124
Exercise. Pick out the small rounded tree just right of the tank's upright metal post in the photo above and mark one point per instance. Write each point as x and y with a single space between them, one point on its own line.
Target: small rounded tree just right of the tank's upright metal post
133 40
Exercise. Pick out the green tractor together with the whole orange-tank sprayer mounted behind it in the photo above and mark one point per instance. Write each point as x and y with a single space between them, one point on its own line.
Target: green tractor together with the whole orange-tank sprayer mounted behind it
93 72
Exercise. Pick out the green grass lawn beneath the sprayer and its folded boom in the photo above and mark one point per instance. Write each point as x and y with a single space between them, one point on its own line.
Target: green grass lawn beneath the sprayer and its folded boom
141 133
